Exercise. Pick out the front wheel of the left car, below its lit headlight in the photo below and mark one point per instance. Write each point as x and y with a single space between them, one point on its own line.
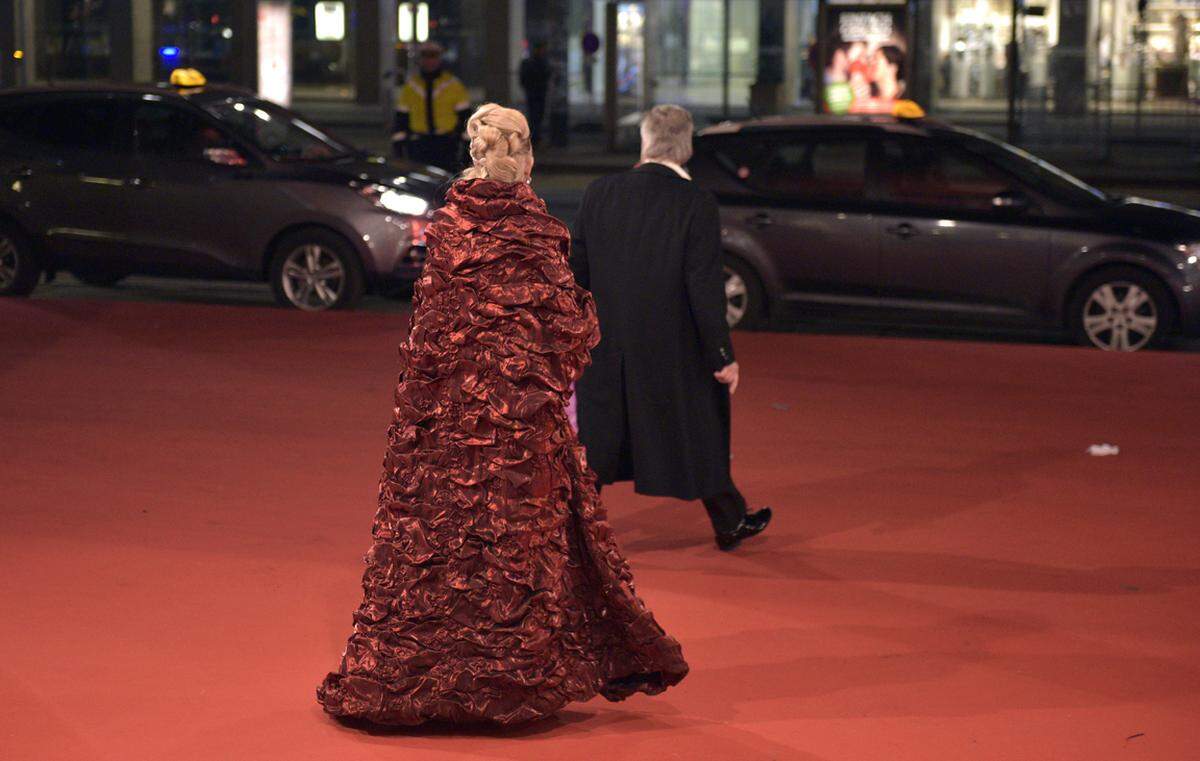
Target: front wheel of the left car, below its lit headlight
316 271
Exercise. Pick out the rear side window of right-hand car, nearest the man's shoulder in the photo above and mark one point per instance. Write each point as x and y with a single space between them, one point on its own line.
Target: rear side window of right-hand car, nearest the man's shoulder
814 167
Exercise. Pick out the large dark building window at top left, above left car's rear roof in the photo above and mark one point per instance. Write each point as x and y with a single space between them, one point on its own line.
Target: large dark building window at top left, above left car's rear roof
75 40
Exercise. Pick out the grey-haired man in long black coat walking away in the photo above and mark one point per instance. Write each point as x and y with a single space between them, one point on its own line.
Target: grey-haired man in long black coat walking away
655 406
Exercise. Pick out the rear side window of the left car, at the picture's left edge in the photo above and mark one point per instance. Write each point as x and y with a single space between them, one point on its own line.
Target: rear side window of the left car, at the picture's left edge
79 124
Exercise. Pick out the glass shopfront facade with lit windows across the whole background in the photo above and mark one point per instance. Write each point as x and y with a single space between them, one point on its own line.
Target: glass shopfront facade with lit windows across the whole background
722 58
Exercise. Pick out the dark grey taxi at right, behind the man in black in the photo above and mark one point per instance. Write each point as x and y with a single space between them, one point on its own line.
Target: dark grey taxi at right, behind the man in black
916 221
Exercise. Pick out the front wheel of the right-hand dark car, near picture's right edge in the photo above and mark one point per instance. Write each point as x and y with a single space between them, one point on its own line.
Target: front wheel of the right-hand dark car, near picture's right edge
1121 309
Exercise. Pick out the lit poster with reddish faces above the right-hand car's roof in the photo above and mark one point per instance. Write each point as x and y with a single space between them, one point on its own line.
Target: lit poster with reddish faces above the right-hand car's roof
866 58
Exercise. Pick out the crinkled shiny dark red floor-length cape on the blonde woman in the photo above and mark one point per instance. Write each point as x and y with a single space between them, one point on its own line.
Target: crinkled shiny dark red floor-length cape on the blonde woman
495 591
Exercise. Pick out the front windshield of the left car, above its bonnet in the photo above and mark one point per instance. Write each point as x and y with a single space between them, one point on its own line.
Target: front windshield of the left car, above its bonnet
277 131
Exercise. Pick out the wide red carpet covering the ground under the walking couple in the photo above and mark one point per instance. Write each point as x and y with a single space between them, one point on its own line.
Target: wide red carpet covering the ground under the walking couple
188 493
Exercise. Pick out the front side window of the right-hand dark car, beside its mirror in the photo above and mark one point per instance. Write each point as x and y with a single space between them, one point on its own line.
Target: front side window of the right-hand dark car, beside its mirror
933 175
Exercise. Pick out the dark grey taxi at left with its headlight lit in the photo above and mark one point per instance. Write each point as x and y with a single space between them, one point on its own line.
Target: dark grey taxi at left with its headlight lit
201 183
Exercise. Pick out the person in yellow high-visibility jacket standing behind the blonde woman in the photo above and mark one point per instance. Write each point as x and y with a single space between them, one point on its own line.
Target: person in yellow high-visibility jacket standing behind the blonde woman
431 113
